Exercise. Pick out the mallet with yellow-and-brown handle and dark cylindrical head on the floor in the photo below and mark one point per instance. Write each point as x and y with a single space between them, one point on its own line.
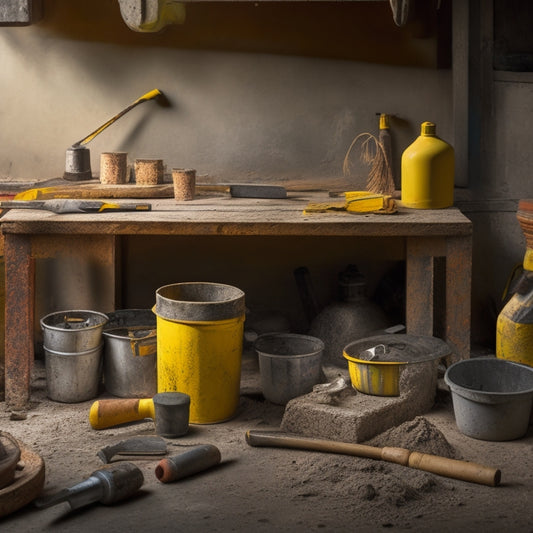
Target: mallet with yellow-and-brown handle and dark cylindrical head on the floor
169 410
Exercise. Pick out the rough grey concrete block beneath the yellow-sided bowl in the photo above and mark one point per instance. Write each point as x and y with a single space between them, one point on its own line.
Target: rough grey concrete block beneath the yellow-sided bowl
351 416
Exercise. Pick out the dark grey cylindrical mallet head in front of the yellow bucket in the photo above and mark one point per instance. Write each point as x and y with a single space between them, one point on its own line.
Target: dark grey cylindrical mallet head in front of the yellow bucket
171 411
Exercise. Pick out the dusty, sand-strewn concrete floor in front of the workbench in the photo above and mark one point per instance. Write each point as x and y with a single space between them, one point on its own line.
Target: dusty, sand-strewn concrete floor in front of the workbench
268 489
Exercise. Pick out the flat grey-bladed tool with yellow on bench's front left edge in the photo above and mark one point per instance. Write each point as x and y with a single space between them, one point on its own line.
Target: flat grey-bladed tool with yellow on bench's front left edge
73 206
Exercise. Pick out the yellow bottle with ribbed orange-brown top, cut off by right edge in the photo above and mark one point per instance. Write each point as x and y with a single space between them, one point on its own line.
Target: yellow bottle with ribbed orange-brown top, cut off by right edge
514 327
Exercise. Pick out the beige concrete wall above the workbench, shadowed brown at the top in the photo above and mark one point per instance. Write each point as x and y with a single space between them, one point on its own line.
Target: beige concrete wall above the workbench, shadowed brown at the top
249 99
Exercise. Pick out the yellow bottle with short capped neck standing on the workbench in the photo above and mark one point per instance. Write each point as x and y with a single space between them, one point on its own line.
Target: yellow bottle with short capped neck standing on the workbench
428 171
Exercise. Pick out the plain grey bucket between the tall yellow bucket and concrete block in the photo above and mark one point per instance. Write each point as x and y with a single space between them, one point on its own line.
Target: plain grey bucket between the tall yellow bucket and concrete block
289 365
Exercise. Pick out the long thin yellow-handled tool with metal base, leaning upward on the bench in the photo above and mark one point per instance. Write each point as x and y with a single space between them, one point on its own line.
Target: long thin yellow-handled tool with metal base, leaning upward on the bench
78 158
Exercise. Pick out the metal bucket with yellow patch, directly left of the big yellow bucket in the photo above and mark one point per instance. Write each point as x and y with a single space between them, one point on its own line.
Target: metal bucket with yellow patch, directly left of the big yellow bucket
130 353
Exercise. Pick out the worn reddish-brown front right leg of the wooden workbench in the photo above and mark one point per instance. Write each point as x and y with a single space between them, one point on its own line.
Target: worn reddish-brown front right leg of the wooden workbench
459 295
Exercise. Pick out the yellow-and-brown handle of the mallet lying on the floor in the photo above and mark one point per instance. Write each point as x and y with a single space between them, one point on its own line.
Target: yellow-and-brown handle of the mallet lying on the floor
108 413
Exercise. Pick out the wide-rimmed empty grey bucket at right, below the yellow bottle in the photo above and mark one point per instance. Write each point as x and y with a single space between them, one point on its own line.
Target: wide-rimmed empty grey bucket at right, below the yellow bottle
491 397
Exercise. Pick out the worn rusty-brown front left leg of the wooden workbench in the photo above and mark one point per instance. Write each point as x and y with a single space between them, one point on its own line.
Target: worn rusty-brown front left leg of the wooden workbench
19 311
